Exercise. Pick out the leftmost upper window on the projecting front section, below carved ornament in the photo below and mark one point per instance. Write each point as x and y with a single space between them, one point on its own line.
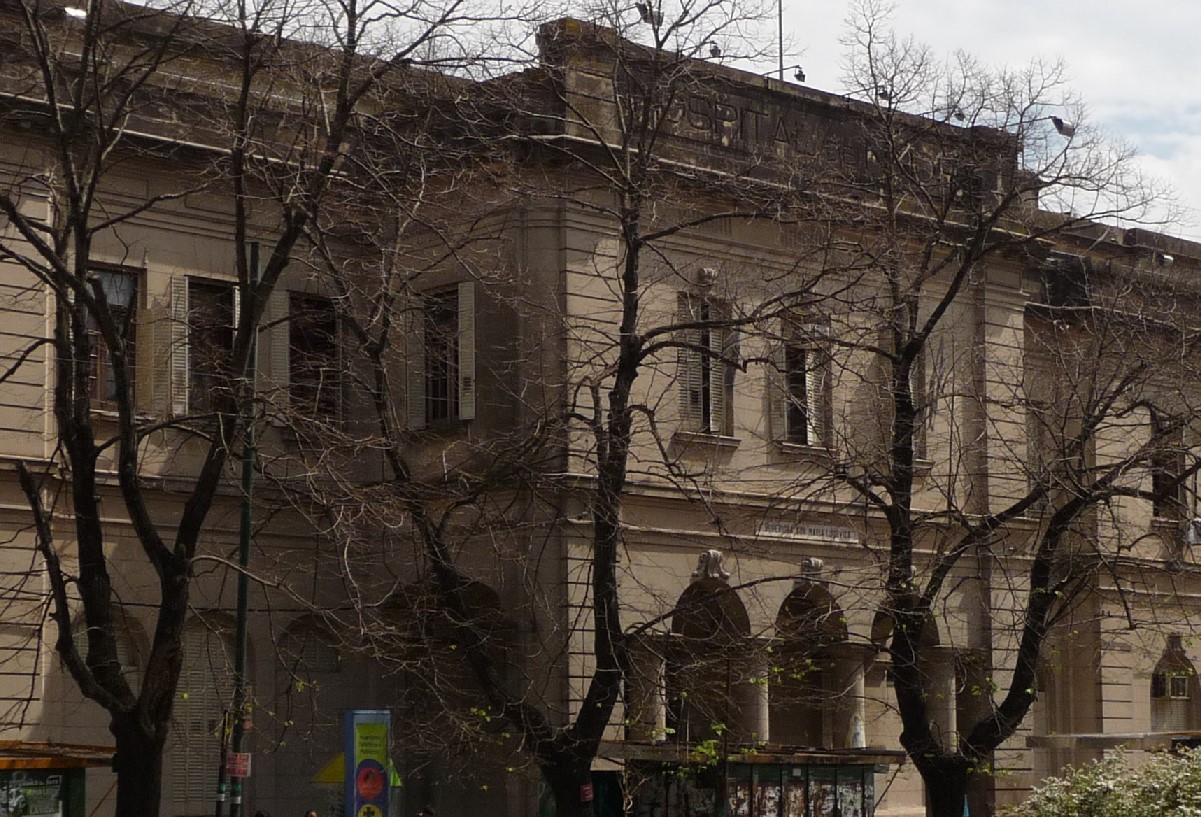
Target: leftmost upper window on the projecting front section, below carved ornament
706 367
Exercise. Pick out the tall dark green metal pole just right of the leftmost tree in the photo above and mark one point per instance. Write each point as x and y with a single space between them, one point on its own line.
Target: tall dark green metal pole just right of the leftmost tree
248 485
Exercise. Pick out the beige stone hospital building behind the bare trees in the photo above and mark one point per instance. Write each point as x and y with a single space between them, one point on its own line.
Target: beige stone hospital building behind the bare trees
756 562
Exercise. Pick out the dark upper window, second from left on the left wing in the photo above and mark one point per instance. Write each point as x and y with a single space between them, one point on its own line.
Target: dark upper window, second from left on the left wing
212 320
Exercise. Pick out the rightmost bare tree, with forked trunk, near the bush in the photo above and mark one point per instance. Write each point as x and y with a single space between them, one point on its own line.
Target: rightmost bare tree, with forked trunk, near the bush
982 199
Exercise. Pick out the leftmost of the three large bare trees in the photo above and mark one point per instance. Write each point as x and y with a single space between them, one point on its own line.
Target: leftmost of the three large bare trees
238 109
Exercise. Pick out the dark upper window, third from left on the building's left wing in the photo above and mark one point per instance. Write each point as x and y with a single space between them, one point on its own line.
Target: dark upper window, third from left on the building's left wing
314 372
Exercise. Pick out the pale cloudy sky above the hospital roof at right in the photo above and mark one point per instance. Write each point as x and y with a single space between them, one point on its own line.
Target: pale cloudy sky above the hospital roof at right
1137 64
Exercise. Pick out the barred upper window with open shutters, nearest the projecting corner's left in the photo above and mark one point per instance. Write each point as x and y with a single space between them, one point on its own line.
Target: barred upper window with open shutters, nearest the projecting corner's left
443 357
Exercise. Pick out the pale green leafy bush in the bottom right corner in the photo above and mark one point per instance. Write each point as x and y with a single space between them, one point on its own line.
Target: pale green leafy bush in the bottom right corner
1166 785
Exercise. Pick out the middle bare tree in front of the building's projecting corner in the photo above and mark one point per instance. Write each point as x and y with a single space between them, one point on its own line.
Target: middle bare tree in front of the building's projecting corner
503 418
